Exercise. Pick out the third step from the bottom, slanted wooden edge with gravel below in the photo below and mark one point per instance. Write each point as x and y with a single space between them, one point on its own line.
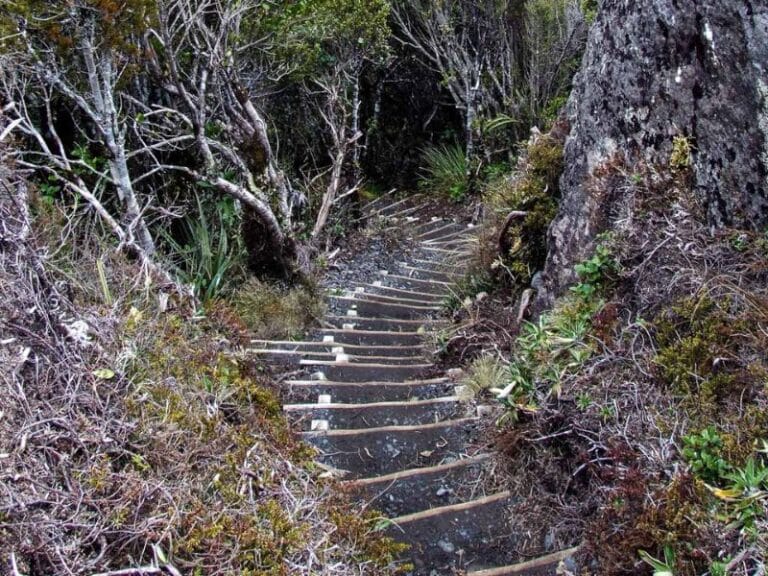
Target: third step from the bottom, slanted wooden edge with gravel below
420 489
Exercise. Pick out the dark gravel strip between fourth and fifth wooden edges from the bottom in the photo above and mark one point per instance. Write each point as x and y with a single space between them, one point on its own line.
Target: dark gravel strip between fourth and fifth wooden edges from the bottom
373 417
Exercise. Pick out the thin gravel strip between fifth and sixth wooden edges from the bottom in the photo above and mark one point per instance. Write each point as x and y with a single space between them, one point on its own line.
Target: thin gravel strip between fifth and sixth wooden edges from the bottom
368 392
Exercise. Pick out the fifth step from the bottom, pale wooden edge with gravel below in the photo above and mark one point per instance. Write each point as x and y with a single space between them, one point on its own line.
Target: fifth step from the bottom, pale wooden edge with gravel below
375 414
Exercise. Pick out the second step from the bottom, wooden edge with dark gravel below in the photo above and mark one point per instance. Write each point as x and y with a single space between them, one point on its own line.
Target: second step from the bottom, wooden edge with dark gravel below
460 536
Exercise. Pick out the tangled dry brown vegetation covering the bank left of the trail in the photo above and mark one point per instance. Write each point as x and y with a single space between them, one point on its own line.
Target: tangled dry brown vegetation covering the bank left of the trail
129 437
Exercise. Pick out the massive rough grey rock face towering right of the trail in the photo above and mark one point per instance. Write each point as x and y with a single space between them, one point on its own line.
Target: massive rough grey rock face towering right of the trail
654 70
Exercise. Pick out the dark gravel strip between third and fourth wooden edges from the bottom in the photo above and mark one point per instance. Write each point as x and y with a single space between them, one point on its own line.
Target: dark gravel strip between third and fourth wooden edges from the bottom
372 454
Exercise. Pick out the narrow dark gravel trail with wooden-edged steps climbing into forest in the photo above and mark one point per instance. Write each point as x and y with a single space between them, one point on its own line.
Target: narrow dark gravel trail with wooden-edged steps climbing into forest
403 442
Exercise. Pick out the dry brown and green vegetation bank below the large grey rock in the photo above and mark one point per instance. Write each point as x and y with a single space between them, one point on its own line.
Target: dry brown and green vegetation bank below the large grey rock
674 344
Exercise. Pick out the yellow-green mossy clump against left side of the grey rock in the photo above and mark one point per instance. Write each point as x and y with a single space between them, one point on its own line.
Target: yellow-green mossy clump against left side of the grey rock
535 191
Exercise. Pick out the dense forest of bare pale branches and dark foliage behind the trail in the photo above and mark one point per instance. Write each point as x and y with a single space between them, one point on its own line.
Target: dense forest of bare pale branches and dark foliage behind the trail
150 111
